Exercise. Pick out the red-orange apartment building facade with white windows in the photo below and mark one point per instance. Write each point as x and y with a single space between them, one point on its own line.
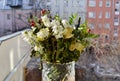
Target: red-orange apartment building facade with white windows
103 17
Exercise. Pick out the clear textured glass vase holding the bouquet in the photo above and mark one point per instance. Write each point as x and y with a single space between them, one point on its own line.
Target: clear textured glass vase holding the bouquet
58 72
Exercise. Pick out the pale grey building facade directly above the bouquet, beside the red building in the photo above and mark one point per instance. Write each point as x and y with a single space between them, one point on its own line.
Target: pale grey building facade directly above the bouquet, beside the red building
65 8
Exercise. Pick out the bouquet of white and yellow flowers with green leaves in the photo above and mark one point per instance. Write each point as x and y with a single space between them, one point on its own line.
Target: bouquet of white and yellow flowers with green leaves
57 40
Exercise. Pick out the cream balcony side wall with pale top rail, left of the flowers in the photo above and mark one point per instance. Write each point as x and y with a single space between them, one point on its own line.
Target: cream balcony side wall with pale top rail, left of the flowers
14 55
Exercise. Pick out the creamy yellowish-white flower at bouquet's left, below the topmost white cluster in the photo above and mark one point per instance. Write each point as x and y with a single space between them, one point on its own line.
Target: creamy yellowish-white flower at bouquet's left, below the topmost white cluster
43 33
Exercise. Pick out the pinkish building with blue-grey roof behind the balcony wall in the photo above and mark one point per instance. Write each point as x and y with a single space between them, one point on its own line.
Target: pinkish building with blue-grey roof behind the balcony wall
14 14
